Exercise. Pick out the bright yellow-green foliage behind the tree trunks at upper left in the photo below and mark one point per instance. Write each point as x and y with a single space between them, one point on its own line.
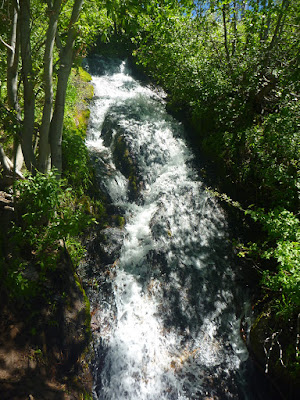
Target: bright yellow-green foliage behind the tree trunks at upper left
78 23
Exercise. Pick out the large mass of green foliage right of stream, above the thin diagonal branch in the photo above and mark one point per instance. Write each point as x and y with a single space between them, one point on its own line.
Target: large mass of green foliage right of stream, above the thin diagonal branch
236 81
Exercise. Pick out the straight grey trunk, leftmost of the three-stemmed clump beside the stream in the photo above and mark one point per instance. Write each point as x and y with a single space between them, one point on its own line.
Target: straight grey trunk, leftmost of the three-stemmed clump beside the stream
27 76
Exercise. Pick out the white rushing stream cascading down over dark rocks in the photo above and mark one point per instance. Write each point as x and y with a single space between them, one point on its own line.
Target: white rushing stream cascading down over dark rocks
169 328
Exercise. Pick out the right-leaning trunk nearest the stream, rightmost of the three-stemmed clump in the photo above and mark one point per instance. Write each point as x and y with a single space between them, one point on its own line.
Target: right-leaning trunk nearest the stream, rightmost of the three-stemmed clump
66 59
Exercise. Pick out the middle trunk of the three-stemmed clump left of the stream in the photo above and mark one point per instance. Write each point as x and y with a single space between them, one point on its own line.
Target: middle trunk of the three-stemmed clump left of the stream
44 145
